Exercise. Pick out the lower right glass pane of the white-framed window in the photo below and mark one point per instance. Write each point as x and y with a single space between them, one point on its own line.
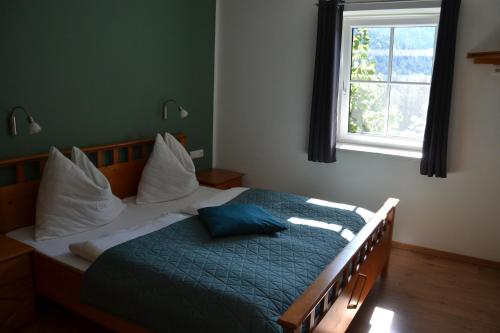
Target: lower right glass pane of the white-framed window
408 110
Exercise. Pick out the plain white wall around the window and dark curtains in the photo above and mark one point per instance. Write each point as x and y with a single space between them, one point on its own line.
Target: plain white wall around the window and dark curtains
265 60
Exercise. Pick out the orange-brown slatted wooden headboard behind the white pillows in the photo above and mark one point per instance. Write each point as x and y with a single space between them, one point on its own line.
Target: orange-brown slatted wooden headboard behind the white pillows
121 163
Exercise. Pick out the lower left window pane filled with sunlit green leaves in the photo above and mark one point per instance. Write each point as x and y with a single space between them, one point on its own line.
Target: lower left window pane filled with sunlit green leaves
368 108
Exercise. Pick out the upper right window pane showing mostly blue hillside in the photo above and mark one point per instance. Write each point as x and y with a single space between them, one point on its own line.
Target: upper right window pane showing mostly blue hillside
412 54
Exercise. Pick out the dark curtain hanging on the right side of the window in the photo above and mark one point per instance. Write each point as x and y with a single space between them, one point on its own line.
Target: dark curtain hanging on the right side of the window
434 150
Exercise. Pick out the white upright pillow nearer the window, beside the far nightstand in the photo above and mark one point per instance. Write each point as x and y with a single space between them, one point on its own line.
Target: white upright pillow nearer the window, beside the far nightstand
165 177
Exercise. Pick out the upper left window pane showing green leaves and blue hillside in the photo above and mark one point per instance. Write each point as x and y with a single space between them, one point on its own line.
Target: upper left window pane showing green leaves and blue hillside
370 53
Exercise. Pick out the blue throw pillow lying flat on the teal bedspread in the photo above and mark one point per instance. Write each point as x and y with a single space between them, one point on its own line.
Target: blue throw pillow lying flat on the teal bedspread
239 219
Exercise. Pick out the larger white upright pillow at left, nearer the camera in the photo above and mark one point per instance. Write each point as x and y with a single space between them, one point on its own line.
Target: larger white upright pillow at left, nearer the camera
73 197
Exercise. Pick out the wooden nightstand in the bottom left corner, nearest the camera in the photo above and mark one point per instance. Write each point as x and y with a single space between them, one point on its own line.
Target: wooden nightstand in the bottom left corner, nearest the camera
17 300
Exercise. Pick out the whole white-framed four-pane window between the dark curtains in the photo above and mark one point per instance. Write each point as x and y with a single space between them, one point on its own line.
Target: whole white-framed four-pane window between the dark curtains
386 71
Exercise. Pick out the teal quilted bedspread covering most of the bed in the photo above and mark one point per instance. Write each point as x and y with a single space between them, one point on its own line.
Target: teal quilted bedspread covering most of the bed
179 279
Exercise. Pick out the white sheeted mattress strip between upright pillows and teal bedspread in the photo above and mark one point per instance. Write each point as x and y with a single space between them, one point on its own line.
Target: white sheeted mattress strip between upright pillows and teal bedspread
134 215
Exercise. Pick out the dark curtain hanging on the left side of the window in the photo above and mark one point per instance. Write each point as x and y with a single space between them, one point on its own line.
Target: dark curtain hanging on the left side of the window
323 123
